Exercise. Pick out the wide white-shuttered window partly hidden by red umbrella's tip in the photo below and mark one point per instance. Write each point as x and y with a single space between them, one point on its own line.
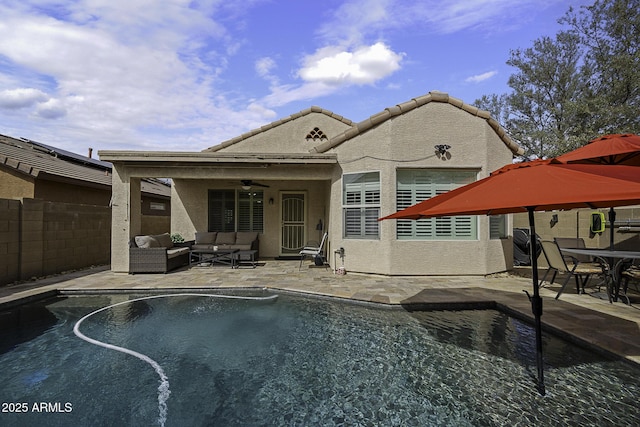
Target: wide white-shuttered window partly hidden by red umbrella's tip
416 185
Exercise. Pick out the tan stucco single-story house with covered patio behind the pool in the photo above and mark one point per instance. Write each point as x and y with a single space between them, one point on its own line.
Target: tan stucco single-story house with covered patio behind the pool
316 171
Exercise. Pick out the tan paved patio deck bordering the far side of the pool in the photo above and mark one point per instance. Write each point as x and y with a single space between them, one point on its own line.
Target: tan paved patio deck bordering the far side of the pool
591 321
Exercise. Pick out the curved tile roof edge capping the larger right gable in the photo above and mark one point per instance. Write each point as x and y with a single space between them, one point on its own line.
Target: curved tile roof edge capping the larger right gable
434 96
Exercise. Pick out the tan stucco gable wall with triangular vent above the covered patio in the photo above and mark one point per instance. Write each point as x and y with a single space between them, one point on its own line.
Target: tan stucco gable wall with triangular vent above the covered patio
290 137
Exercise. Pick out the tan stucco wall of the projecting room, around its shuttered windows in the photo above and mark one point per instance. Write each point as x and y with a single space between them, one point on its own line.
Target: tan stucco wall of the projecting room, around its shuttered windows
410 138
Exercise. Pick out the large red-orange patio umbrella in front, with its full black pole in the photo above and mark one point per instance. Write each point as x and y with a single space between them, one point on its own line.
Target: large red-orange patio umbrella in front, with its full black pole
535 186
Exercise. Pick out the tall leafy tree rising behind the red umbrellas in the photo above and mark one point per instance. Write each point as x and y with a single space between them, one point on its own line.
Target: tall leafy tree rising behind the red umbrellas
583 83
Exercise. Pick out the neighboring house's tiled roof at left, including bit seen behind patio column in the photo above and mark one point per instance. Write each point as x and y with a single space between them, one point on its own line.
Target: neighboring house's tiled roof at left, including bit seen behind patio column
41 161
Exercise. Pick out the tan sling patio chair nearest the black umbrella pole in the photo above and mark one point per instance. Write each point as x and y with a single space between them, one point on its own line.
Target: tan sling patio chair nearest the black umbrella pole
557 261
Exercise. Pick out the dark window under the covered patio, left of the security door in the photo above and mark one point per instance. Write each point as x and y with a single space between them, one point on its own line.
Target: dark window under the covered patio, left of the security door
236 211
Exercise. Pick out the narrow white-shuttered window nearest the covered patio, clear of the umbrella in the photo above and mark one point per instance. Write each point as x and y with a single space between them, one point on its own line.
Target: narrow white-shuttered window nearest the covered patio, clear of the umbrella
361 204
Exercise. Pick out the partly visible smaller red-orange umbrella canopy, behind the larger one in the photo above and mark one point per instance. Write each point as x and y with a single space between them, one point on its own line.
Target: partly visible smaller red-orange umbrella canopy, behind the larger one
615 149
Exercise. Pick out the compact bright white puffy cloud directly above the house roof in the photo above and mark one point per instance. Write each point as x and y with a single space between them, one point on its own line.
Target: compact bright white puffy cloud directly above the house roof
364 65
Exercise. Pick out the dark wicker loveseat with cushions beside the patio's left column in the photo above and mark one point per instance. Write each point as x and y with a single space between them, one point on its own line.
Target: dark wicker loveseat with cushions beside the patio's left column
156 254
